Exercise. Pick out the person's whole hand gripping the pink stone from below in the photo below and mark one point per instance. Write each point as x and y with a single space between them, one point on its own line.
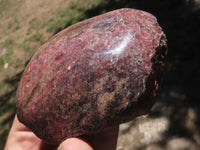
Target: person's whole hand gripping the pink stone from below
21 138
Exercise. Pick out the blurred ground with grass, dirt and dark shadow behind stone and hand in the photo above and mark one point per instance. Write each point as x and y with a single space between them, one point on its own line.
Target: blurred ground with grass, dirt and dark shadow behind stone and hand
173 123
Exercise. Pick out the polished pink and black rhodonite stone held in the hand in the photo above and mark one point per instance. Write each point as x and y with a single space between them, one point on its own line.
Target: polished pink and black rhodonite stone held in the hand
93 75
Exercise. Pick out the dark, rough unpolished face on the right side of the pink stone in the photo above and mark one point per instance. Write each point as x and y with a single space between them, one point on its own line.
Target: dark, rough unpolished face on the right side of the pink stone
154 80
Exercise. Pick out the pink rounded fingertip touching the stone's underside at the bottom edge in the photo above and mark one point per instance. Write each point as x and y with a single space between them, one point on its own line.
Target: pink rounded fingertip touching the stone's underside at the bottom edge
74 144
